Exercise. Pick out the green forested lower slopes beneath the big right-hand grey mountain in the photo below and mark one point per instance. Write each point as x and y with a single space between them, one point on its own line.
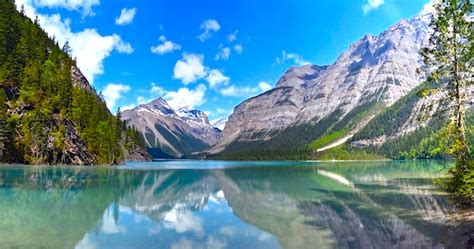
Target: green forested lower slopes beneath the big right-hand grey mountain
384 135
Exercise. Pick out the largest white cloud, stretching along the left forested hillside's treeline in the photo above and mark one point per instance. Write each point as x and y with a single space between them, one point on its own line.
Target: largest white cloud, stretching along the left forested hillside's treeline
88 46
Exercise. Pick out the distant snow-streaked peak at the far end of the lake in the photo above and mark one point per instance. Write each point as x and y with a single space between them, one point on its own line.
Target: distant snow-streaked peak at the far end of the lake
169 132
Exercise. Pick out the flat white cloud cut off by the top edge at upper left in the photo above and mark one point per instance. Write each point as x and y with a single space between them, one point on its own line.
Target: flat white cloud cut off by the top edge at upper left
84 6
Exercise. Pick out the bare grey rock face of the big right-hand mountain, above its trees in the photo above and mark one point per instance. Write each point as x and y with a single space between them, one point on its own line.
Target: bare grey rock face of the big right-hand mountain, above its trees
375 69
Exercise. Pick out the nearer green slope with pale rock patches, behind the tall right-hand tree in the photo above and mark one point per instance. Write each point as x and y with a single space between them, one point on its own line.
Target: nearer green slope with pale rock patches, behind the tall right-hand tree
411 128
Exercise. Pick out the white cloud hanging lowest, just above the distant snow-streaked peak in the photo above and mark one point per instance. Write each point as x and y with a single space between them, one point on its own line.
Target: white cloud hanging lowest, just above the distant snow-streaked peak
186 97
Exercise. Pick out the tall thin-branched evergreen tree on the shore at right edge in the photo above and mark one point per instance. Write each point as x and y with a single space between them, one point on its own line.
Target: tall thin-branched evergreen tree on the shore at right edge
449 62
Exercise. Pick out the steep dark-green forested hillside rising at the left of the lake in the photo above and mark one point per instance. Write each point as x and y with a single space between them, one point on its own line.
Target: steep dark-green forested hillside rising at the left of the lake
49 113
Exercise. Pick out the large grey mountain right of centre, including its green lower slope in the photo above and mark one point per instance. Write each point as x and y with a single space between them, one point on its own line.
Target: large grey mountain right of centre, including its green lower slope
332 102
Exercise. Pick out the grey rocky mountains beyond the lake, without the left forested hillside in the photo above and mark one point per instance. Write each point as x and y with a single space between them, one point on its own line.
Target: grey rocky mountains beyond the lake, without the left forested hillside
368 99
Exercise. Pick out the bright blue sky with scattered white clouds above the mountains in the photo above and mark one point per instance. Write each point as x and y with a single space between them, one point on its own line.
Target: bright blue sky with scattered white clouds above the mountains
206 54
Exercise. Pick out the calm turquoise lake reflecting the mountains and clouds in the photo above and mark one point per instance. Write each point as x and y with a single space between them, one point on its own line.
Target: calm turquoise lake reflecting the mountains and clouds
211 204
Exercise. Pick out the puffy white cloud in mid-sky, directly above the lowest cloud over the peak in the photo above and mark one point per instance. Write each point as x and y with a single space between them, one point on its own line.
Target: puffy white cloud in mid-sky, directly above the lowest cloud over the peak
190 68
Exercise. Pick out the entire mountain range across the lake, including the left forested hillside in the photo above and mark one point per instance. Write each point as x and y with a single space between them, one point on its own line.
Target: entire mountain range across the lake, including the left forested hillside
367 104
